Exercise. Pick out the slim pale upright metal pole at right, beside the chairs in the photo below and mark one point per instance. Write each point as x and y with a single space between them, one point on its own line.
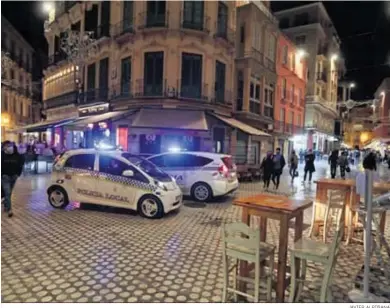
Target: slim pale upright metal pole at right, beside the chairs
367 238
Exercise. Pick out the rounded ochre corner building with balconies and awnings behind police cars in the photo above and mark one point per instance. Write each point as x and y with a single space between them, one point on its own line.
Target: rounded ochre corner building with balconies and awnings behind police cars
163 76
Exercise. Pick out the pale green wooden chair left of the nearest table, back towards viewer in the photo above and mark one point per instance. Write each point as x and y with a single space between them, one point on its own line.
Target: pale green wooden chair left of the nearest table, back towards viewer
242 243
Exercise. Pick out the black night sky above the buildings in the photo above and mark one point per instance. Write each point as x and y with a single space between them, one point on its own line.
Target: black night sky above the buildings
364 28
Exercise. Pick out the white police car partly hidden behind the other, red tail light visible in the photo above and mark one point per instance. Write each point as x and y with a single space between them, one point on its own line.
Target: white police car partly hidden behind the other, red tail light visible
201 175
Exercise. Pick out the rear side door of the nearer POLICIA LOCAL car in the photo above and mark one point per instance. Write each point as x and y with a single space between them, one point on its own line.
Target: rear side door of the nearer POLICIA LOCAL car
80 180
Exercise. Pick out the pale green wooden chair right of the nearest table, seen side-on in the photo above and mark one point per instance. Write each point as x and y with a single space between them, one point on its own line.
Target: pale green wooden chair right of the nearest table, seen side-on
309 250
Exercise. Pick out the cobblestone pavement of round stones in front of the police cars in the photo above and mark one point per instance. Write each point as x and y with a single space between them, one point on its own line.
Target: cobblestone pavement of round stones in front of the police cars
98 255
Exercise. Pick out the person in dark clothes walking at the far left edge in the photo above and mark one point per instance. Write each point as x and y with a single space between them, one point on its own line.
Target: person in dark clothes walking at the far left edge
11 168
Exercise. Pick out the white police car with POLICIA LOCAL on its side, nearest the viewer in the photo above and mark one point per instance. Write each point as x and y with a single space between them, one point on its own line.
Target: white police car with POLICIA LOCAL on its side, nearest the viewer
113 178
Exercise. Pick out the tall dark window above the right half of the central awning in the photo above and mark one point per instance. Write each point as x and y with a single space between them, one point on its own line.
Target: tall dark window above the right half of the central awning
191 75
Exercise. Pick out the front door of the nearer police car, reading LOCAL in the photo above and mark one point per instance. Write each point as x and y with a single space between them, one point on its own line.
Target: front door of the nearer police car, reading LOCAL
120 191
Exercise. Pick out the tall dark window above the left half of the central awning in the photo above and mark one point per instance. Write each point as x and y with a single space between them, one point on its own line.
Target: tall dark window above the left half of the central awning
153 73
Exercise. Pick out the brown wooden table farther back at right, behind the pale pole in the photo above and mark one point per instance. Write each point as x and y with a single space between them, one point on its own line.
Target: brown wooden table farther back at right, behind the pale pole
351 198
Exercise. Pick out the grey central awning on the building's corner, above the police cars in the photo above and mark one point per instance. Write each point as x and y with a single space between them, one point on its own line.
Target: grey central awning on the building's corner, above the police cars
173 119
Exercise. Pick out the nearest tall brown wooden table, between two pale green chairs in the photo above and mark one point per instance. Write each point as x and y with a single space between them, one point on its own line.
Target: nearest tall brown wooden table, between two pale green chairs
280 208
